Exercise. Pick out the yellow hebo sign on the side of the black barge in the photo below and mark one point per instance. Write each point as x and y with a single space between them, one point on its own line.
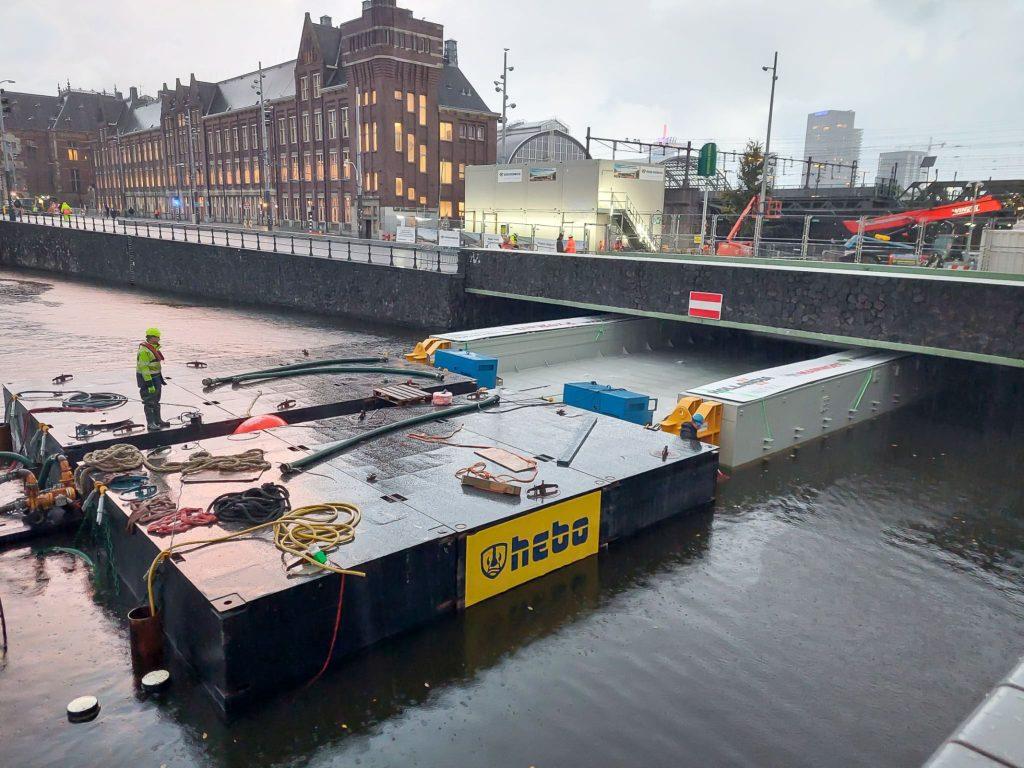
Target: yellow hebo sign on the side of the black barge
511 553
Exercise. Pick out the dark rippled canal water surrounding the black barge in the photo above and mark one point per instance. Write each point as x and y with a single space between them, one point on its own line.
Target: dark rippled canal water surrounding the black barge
844 607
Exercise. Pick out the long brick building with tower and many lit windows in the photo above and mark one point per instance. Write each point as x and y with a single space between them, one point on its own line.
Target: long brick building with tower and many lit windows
375 110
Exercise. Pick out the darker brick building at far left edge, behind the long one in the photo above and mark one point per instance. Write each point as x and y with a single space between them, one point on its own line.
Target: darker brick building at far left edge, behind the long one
51 141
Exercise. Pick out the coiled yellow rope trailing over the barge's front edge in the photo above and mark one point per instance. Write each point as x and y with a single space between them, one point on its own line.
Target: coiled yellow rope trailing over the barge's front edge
294 533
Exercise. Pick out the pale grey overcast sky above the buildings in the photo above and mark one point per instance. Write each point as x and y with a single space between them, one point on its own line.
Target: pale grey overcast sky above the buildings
911 69
